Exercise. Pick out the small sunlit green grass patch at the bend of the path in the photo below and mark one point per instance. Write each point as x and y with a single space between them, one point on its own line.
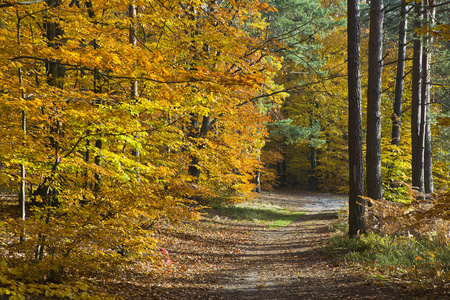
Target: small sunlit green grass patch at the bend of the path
269 215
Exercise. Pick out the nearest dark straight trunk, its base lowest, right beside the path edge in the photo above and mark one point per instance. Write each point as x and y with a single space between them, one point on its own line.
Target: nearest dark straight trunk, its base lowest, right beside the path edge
356 179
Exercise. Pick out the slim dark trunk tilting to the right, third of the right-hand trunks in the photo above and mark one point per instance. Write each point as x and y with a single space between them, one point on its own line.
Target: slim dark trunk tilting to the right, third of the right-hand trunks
398 98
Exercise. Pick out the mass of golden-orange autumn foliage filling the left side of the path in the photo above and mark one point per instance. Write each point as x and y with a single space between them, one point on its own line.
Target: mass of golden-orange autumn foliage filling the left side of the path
108 90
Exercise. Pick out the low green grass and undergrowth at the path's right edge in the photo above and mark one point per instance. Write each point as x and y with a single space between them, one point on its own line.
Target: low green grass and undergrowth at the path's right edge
418 261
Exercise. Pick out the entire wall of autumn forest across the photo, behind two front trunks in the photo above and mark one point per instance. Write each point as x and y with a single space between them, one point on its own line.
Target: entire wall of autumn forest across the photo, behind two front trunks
116 115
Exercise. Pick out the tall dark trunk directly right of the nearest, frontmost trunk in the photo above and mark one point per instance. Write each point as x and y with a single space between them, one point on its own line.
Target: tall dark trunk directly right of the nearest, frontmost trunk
373 154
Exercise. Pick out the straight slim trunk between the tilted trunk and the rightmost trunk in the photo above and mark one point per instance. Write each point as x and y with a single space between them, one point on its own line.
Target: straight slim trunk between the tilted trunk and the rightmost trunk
417 142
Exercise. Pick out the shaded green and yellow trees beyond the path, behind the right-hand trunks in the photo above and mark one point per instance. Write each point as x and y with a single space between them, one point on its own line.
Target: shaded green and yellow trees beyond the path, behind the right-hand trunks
318 100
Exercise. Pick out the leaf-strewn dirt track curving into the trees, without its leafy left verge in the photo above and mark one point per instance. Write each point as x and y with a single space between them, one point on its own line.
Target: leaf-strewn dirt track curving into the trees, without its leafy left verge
287 263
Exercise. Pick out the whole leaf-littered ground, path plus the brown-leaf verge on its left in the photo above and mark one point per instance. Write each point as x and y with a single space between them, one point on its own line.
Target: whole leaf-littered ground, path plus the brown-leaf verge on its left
226 258
